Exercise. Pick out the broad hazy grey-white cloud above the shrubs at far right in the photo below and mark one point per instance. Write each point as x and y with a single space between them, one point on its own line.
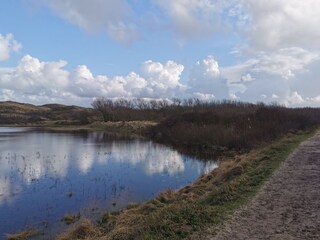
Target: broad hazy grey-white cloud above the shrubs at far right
274 75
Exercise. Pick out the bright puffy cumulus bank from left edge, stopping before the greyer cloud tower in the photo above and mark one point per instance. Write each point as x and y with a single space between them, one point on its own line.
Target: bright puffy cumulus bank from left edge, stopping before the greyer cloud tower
33 80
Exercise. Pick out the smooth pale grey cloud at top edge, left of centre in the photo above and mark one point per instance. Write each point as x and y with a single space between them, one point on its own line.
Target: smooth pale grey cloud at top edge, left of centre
113 17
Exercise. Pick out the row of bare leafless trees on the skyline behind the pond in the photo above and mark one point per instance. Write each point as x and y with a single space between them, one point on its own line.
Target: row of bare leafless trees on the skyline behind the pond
153 109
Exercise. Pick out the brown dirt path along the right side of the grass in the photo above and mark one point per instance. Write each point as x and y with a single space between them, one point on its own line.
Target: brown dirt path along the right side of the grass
287 206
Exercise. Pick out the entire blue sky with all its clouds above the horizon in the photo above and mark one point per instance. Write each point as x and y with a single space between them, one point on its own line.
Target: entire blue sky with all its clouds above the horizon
73 51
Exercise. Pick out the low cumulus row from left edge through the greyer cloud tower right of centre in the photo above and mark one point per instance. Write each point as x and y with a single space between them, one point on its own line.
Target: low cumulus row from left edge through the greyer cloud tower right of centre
36 81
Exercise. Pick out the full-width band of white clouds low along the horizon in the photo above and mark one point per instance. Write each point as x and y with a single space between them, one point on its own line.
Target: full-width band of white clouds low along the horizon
264 78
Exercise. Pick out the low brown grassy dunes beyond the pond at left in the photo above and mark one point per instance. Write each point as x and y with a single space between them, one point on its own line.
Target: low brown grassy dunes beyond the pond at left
22 113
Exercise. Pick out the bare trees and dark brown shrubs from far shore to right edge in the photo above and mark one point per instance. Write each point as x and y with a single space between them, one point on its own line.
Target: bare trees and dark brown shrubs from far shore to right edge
210 127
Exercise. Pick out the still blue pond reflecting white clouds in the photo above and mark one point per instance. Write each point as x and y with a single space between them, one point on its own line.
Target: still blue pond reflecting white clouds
44 175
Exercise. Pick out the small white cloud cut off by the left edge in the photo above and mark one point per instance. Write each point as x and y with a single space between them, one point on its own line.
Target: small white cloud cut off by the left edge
8 44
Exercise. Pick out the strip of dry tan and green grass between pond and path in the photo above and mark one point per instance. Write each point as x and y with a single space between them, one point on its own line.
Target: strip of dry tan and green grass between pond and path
210 200
